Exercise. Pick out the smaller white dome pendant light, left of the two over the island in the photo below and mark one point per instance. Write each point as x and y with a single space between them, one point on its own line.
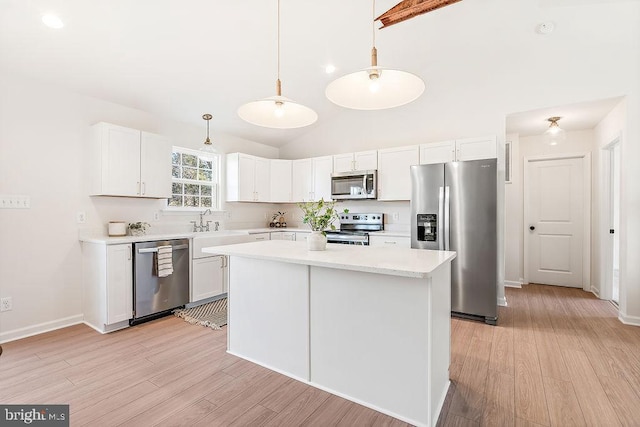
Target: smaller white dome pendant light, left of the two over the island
277 112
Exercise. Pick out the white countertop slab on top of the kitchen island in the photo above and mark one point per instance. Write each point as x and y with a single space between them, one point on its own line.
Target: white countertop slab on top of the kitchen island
417 263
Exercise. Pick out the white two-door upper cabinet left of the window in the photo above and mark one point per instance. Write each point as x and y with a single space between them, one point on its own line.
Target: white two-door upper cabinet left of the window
128 162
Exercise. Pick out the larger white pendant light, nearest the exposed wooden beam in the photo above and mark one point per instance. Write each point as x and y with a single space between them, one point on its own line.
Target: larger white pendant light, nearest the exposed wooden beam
375 88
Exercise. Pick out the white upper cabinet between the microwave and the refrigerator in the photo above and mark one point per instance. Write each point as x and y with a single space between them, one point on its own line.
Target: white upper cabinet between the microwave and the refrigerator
394 174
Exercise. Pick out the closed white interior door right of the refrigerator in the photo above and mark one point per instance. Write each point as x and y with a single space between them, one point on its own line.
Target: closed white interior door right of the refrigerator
555 219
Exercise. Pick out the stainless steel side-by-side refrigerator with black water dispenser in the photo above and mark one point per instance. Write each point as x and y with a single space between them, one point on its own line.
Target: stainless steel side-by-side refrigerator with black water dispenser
453 207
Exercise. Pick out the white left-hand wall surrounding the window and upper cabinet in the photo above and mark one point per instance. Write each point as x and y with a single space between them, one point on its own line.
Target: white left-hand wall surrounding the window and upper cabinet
43 131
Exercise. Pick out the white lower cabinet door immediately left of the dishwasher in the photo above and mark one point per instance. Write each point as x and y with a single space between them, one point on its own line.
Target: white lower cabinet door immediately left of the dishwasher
119 283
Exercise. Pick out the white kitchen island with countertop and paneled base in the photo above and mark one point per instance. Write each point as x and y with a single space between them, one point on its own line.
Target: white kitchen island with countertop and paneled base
370 324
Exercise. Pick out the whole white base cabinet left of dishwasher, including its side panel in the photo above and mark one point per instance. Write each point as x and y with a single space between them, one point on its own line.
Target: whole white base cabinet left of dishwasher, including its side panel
107 281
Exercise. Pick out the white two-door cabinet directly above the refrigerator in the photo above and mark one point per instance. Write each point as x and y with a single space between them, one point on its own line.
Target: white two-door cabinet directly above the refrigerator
459 150
